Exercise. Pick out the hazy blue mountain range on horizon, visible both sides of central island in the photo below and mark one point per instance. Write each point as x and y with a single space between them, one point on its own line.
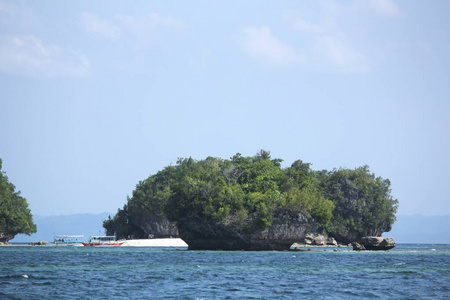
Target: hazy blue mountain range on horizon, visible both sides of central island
407 228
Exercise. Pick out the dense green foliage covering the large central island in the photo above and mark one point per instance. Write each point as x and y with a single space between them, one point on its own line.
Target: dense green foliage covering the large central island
248 191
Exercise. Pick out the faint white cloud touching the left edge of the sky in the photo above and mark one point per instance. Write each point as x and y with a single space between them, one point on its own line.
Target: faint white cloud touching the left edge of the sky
29 55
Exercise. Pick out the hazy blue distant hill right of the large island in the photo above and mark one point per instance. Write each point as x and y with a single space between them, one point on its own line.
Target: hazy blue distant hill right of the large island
421 229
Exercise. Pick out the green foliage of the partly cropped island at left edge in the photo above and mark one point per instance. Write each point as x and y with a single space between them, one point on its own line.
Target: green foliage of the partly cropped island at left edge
15 217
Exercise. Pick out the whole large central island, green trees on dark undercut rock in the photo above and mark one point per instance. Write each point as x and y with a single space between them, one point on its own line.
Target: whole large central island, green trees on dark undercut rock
252 203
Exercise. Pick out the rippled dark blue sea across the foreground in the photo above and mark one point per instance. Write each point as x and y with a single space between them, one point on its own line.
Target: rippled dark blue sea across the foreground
409 271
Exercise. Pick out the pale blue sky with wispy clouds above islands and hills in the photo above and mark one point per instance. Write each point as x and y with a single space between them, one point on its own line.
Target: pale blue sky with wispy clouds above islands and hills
96 96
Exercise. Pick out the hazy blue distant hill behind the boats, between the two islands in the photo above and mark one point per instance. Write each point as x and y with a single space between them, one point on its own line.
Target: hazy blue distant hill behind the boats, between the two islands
49 226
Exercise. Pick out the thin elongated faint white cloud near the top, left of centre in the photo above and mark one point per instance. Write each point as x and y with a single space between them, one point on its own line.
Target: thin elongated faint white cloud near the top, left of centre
119 25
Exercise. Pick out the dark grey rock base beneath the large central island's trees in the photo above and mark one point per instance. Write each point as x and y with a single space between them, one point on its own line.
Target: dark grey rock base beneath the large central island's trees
287 230
